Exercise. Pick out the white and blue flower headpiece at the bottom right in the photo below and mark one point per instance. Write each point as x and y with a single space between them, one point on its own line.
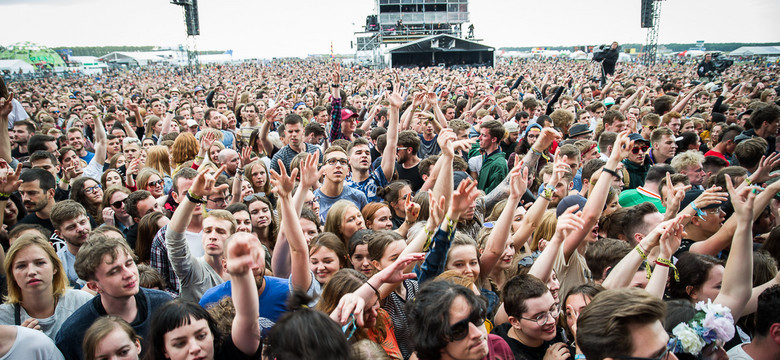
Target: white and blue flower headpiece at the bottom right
711 323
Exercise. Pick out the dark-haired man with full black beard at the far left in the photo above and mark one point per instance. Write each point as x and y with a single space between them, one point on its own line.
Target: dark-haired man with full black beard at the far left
37 190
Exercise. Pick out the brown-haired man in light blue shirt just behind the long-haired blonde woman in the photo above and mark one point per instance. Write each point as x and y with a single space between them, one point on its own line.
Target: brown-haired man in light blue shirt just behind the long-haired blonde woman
72 225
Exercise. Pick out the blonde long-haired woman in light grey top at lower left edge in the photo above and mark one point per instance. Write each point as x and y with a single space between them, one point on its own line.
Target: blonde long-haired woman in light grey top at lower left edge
38 292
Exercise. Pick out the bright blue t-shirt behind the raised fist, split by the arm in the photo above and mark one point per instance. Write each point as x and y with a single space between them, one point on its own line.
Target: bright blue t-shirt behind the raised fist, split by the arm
273 300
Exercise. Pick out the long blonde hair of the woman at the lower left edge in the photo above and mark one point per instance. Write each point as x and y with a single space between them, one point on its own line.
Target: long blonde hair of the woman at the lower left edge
59 279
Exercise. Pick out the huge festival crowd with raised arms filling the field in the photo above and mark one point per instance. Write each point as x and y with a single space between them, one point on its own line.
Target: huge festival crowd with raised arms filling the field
300 209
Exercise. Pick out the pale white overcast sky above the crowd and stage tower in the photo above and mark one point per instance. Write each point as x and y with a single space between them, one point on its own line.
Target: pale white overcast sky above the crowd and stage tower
259 28
